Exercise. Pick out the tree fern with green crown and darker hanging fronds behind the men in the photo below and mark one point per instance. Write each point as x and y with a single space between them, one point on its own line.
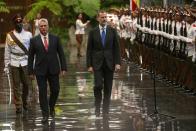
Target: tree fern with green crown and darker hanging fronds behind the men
63 11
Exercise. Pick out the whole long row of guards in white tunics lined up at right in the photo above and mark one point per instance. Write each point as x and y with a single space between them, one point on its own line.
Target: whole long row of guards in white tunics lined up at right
159 39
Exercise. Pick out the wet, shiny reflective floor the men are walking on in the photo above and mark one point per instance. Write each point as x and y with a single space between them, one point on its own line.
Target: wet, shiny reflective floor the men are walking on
132 106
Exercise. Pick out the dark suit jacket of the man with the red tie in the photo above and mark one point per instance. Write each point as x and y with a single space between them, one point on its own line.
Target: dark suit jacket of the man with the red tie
41 62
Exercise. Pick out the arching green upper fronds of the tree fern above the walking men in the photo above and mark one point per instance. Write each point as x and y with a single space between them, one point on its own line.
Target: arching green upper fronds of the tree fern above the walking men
64 7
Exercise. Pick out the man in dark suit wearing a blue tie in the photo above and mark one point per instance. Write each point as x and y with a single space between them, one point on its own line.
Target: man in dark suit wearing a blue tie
103 58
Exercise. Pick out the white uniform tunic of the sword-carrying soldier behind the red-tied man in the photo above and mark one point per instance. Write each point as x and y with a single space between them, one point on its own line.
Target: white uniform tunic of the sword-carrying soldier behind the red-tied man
14 55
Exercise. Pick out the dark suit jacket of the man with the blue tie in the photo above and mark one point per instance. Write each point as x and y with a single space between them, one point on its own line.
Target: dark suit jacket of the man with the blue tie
97 53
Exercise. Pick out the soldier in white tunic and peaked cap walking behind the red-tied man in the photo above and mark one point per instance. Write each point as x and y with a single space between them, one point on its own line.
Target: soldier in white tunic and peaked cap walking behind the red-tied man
15 58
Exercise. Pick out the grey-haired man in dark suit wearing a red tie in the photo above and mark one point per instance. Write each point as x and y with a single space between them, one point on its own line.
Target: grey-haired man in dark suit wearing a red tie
46 61
